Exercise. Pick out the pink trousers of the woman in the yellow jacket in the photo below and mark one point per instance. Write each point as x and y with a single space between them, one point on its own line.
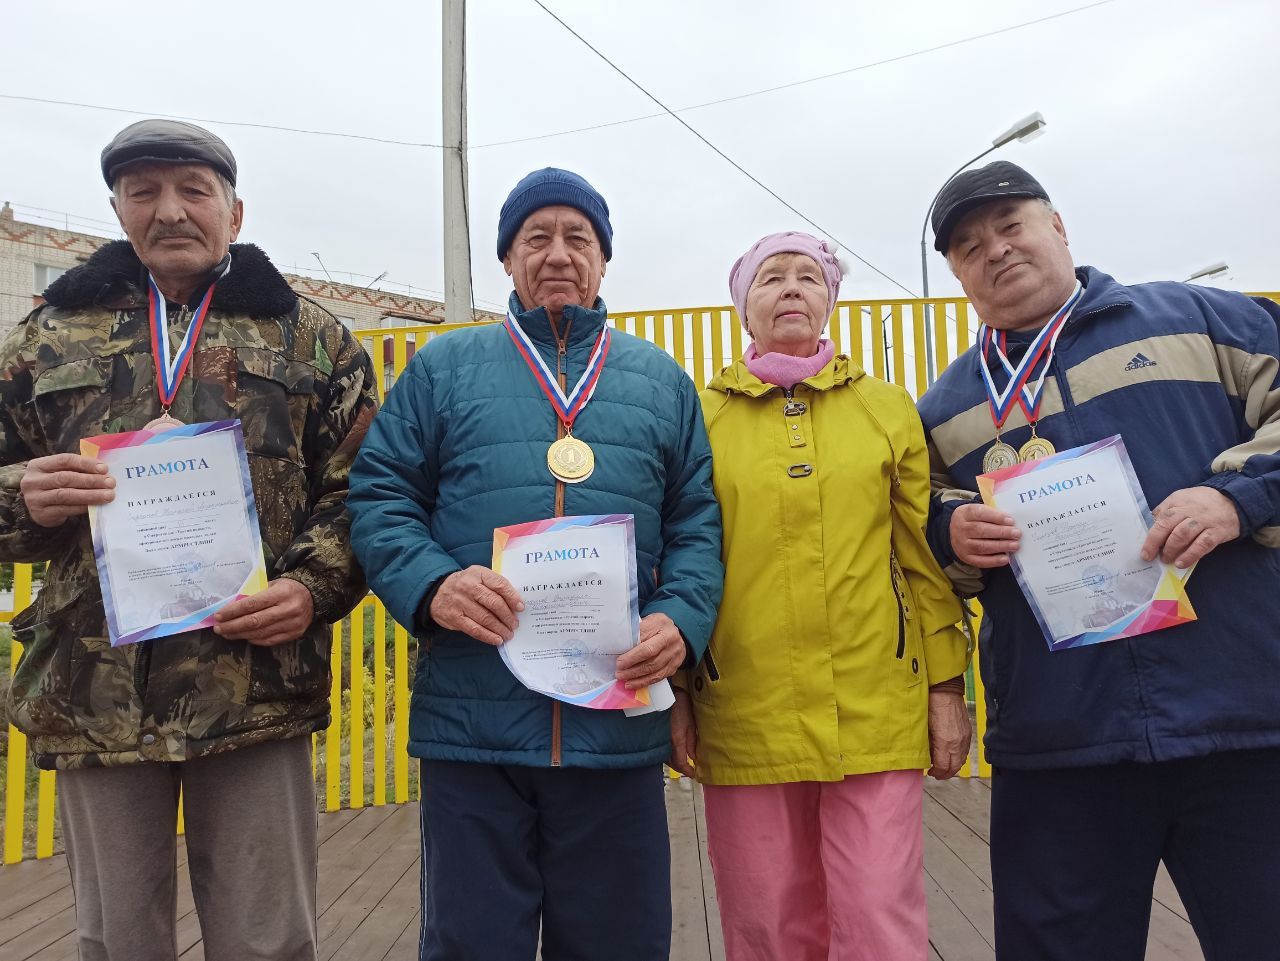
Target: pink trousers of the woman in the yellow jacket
821 872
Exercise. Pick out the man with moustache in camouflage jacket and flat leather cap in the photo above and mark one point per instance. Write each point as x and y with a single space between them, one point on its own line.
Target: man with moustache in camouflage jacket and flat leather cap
221 713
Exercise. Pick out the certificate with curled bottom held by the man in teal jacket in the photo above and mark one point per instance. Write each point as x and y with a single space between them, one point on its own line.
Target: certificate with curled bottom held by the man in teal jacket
578 578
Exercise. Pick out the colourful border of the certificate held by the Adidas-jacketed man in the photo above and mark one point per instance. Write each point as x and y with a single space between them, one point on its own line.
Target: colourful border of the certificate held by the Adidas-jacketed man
1168 607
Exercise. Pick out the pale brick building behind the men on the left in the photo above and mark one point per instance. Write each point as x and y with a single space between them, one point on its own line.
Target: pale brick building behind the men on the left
33 257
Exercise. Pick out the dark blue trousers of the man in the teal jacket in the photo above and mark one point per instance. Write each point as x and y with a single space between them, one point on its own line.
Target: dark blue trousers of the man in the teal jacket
583 854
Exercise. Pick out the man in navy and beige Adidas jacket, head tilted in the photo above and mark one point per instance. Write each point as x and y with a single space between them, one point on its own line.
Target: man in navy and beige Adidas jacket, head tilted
1165 747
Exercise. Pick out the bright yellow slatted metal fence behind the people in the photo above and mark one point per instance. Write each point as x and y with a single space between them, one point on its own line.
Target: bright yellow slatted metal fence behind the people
363 757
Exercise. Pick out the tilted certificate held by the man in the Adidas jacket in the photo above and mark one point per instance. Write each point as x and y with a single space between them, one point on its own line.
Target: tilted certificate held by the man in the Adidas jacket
1084 519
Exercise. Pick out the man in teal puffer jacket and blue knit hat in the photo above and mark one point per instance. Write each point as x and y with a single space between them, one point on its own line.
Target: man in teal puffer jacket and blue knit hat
536 812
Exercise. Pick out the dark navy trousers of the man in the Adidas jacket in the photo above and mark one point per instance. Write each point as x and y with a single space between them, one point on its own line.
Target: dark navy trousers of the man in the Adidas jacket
1075 855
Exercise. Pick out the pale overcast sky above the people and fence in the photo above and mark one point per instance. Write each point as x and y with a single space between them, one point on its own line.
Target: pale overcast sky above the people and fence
1160 150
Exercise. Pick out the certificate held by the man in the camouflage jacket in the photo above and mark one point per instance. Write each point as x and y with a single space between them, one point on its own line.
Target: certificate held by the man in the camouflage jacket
181 539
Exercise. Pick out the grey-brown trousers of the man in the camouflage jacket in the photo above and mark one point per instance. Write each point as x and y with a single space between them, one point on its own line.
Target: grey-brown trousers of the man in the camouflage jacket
252 849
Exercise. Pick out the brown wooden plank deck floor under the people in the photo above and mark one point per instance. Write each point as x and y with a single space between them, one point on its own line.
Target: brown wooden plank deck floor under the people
369 889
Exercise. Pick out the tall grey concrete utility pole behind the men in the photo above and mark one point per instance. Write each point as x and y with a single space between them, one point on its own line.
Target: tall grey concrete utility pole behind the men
458 242
